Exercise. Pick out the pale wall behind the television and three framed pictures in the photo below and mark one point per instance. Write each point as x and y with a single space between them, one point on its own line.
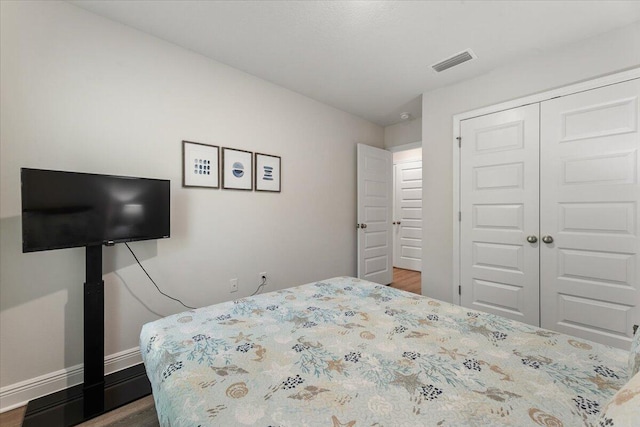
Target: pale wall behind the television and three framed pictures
82 93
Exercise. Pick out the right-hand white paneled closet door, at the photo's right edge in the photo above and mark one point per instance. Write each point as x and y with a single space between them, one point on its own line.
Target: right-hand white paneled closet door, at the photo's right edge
589 207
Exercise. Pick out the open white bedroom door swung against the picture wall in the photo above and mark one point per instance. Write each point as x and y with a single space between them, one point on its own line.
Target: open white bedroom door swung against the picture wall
375 192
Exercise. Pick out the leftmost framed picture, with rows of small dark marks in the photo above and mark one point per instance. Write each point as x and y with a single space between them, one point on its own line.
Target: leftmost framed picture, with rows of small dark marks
200 165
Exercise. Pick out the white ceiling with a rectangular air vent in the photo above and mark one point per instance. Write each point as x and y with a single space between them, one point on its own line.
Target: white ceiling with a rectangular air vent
370 58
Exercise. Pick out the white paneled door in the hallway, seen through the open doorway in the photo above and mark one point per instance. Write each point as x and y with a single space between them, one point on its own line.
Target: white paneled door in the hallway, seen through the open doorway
407 216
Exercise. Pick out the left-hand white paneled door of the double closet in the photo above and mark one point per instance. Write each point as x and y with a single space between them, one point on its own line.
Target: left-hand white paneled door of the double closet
499 203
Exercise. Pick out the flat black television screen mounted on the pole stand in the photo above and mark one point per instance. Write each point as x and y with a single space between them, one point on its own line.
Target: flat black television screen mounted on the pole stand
70 209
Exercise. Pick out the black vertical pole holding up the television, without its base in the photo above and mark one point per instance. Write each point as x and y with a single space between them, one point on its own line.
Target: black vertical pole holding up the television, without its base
93 388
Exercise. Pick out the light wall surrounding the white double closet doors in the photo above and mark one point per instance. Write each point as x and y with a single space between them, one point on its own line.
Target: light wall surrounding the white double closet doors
588 59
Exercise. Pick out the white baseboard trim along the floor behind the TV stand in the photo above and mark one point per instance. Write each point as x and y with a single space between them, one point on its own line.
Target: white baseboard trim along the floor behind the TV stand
19 394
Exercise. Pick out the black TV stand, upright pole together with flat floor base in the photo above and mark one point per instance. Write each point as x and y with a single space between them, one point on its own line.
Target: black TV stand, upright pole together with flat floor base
98 394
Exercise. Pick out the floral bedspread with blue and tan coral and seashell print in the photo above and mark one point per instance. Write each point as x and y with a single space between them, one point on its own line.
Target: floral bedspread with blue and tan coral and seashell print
346 352
